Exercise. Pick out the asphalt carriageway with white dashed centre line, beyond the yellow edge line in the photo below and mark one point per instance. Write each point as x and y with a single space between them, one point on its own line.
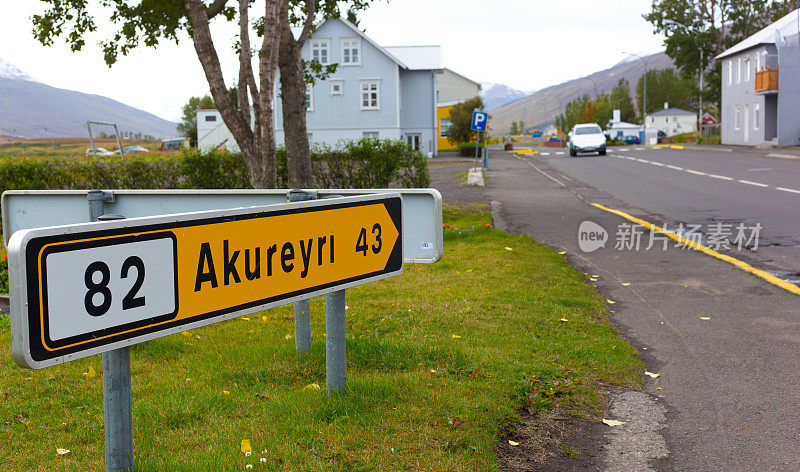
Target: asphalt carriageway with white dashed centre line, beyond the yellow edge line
702 187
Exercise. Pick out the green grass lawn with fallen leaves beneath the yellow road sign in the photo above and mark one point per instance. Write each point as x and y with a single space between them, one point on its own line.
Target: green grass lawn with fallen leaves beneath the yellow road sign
440 360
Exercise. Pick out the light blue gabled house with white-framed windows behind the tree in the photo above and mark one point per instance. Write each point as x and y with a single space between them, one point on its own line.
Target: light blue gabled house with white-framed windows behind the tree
383 92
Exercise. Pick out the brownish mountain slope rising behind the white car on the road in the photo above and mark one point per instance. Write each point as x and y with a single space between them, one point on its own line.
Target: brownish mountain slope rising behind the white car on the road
542 107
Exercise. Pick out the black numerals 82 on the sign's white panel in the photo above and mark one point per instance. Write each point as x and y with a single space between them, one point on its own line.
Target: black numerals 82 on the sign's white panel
100 287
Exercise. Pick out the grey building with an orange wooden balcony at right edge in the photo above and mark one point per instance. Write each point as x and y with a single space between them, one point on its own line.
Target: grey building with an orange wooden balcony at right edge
760 88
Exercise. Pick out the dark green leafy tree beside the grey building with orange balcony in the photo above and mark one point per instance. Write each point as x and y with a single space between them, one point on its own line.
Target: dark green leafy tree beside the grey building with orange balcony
705 28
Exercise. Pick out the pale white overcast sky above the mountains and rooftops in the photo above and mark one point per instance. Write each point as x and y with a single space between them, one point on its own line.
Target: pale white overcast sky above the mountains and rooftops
527 44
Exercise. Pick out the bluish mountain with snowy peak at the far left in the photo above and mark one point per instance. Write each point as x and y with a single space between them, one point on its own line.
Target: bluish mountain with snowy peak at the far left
30 109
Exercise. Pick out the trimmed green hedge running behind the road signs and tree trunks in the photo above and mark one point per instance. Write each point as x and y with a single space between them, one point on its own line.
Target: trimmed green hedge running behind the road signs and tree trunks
368 163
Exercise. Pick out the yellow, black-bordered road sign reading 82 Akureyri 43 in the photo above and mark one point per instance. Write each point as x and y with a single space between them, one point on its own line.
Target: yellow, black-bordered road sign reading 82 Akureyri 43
93 287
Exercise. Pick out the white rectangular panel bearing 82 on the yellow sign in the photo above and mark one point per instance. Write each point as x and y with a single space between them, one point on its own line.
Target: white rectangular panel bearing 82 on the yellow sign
113 285
